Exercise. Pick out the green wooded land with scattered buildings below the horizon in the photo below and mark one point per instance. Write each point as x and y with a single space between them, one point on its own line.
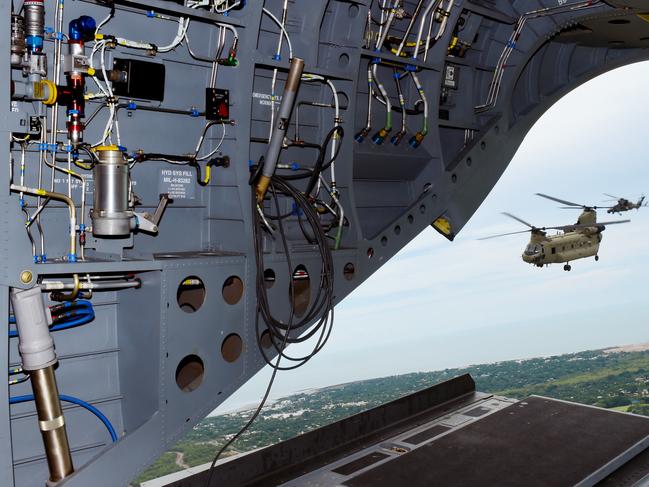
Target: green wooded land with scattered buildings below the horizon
611 380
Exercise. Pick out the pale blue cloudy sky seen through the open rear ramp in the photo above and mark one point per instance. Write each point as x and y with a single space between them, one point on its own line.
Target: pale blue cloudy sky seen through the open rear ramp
440 305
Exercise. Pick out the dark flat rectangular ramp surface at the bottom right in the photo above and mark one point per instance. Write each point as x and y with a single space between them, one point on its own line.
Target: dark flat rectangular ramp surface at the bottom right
536 442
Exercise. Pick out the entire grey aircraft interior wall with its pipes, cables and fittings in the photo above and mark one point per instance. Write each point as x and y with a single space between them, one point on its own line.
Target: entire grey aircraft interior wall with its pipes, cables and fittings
186 215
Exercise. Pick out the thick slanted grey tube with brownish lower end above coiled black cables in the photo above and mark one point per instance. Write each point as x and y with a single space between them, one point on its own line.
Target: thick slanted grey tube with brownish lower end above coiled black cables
281 125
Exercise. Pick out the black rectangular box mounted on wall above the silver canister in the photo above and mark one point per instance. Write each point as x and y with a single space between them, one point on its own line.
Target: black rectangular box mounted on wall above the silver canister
143 79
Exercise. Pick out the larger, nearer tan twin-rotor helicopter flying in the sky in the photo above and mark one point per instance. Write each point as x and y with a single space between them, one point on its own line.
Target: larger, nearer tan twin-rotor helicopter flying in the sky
578 241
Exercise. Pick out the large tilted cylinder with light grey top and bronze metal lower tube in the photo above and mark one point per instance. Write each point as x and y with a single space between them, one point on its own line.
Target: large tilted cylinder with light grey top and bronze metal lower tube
38 356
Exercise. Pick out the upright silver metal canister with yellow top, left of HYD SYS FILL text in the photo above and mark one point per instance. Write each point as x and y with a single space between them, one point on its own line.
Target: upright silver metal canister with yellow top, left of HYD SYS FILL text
111 214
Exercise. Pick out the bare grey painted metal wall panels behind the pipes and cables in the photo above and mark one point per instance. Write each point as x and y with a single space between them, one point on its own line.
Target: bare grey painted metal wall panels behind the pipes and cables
125 361
